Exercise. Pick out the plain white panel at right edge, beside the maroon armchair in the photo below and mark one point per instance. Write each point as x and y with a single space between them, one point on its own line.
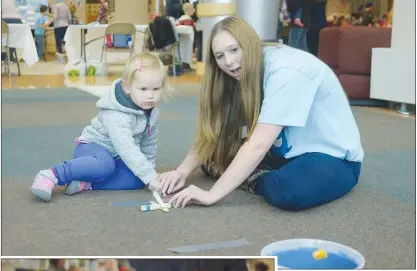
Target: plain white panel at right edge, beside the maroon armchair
393 69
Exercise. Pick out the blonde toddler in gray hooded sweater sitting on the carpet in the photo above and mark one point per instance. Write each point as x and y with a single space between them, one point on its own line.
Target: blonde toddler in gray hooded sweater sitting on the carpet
117 150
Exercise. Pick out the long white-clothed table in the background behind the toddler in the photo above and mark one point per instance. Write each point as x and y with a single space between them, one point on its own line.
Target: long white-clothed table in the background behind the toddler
77 38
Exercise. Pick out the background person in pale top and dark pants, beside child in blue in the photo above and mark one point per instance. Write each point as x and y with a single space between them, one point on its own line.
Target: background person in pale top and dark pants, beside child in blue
62 18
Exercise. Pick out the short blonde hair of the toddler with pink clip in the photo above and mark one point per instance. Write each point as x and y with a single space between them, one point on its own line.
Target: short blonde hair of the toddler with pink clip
148 62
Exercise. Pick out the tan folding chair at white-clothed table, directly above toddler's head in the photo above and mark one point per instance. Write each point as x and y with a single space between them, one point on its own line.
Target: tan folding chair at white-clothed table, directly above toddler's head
118 29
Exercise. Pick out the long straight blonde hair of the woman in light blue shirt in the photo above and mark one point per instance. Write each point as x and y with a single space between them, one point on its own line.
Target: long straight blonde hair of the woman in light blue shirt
225 103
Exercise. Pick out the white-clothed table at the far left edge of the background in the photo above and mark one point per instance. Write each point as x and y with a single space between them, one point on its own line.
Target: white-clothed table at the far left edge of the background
20 37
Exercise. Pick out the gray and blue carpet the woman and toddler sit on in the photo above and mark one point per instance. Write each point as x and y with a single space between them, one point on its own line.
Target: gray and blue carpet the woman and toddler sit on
38 129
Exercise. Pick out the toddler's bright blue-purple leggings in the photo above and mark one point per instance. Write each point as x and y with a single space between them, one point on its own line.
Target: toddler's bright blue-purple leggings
93 163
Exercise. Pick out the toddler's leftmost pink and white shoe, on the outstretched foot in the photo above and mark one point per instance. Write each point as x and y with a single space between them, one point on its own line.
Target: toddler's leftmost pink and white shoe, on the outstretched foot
45 181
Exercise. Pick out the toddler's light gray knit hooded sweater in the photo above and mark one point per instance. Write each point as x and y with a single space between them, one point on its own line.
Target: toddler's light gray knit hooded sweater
126 132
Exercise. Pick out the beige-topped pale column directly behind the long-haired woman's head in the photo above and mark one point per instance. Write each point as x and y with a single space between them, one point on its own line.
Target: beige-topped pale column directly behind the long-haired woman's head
210 12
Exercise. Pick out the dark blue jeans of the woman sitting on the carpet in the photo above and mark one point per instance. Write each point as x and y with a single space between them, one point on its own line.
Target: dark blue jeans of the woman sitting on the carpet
306 181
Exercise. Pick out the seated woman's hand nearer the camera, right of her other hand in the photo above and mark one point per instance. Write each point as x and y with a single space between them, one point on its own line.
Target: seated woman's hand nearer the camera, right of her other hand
192 194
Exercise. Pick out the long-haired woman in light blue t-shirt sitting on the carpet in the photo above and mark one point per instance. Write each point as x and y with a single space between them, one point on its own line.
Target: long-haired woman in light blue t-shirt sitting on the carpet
303 147
